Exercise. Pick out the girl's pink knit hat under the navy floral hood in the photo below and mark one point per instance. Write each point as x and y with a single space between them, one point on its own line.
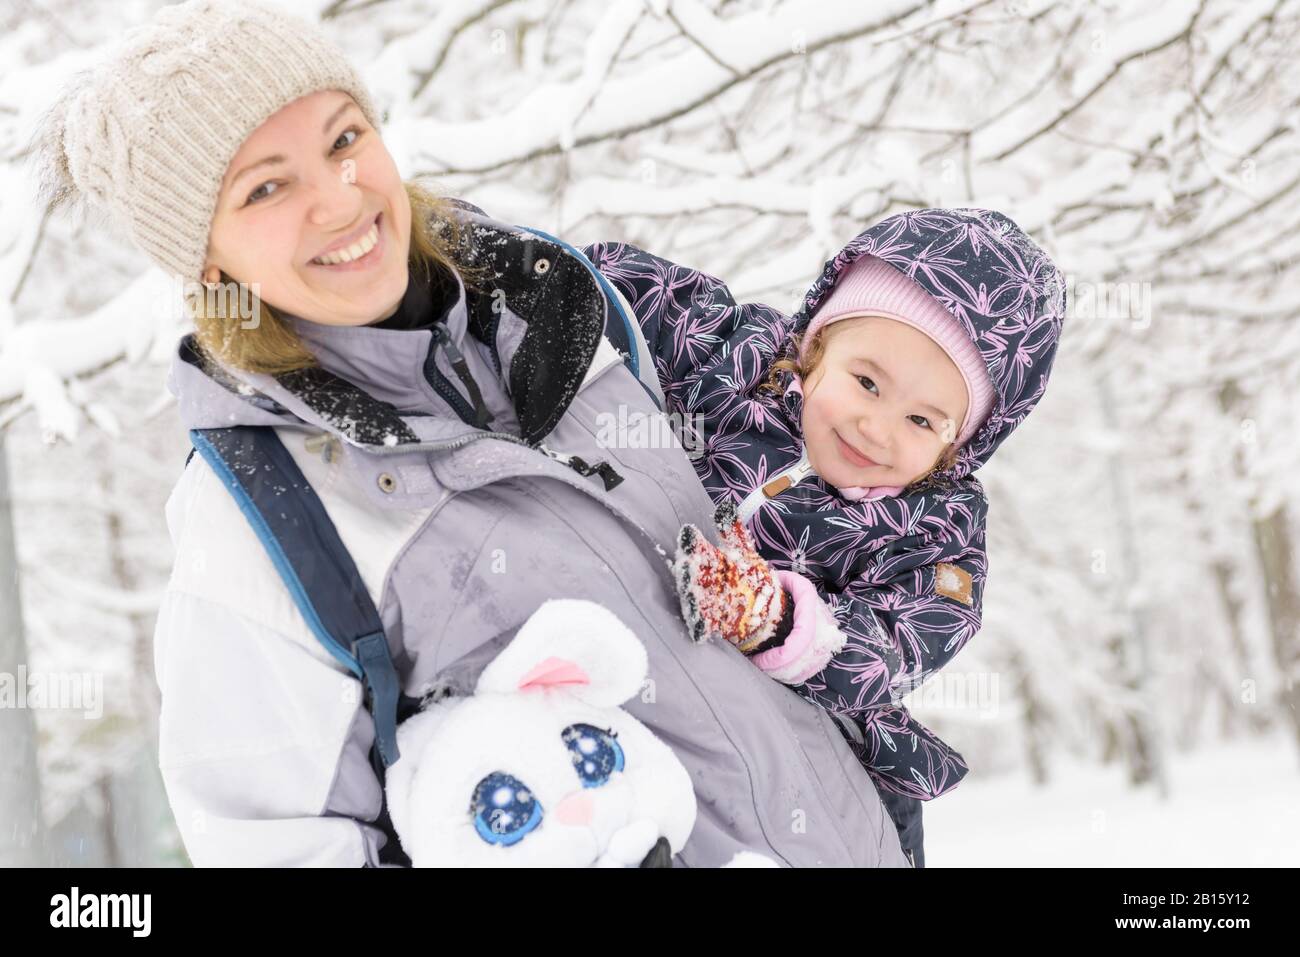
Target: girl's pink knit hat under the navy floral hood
873 288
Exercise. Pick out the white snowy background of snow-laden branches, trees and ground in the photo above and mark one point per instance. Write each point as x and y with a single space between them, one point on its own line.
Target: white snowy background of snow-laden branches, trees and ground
1133 695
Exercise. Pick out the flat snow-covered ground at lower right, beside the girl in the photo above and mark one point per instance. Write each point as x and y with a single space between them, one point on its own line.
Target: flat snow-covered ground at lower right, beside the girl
1230 806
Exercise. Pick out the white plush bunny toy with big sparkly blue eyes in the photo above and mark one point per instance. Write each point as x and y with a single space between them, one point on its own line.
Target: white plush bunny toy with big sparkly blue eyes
541 767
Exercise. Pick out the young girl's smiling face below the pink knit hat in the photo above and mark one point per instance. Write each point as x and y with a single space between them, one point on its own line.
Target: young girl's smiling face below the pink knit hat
882 405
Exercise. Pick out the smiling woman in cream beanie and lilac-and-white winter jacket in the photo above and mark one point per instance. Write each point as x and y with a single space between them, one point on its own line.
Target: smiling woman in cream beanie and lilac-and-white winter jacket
437 376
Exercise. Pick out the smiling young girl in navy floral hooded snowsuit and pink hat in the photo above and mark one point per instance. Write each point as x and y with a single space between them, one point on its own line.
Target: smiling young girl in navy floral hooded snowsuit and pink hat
844 440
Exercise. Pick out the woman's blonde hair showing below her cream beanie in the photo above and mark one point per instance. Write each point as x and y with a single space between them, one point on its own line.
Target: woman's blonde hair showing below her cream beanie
265 343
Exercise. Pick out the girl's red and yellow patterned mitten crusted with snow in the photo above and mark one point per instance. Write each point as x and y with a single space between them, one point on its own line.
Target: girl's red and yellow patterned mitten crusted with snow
730 592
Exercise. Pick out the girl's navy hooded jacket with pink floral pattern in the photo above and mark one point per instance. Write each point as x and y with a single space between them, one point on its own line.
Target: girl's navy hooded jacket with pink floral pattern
903 575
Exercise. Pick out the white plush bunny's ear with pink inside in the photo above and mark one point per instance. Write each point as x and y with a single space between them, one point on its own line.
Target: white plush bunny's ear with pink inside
575 646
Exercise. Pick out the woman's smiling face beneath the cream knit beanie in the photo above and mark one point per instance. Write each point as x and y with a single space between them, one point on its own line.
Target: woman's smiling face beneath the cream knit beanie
328 184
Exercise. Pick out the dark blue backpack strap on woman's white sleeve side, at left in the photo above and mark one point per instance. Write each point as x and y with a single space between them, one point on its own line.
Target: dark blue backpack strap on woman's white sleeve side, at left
293 526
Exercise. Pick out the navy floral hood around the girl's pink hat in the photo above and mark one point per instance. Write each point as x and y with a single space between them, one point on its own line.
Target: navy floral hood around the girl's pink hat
999 284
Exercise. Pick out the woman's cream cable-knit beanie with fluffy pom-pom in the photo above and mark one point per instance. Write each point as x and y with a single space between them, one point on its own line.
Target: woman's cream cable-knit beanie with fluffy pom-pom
149 133
